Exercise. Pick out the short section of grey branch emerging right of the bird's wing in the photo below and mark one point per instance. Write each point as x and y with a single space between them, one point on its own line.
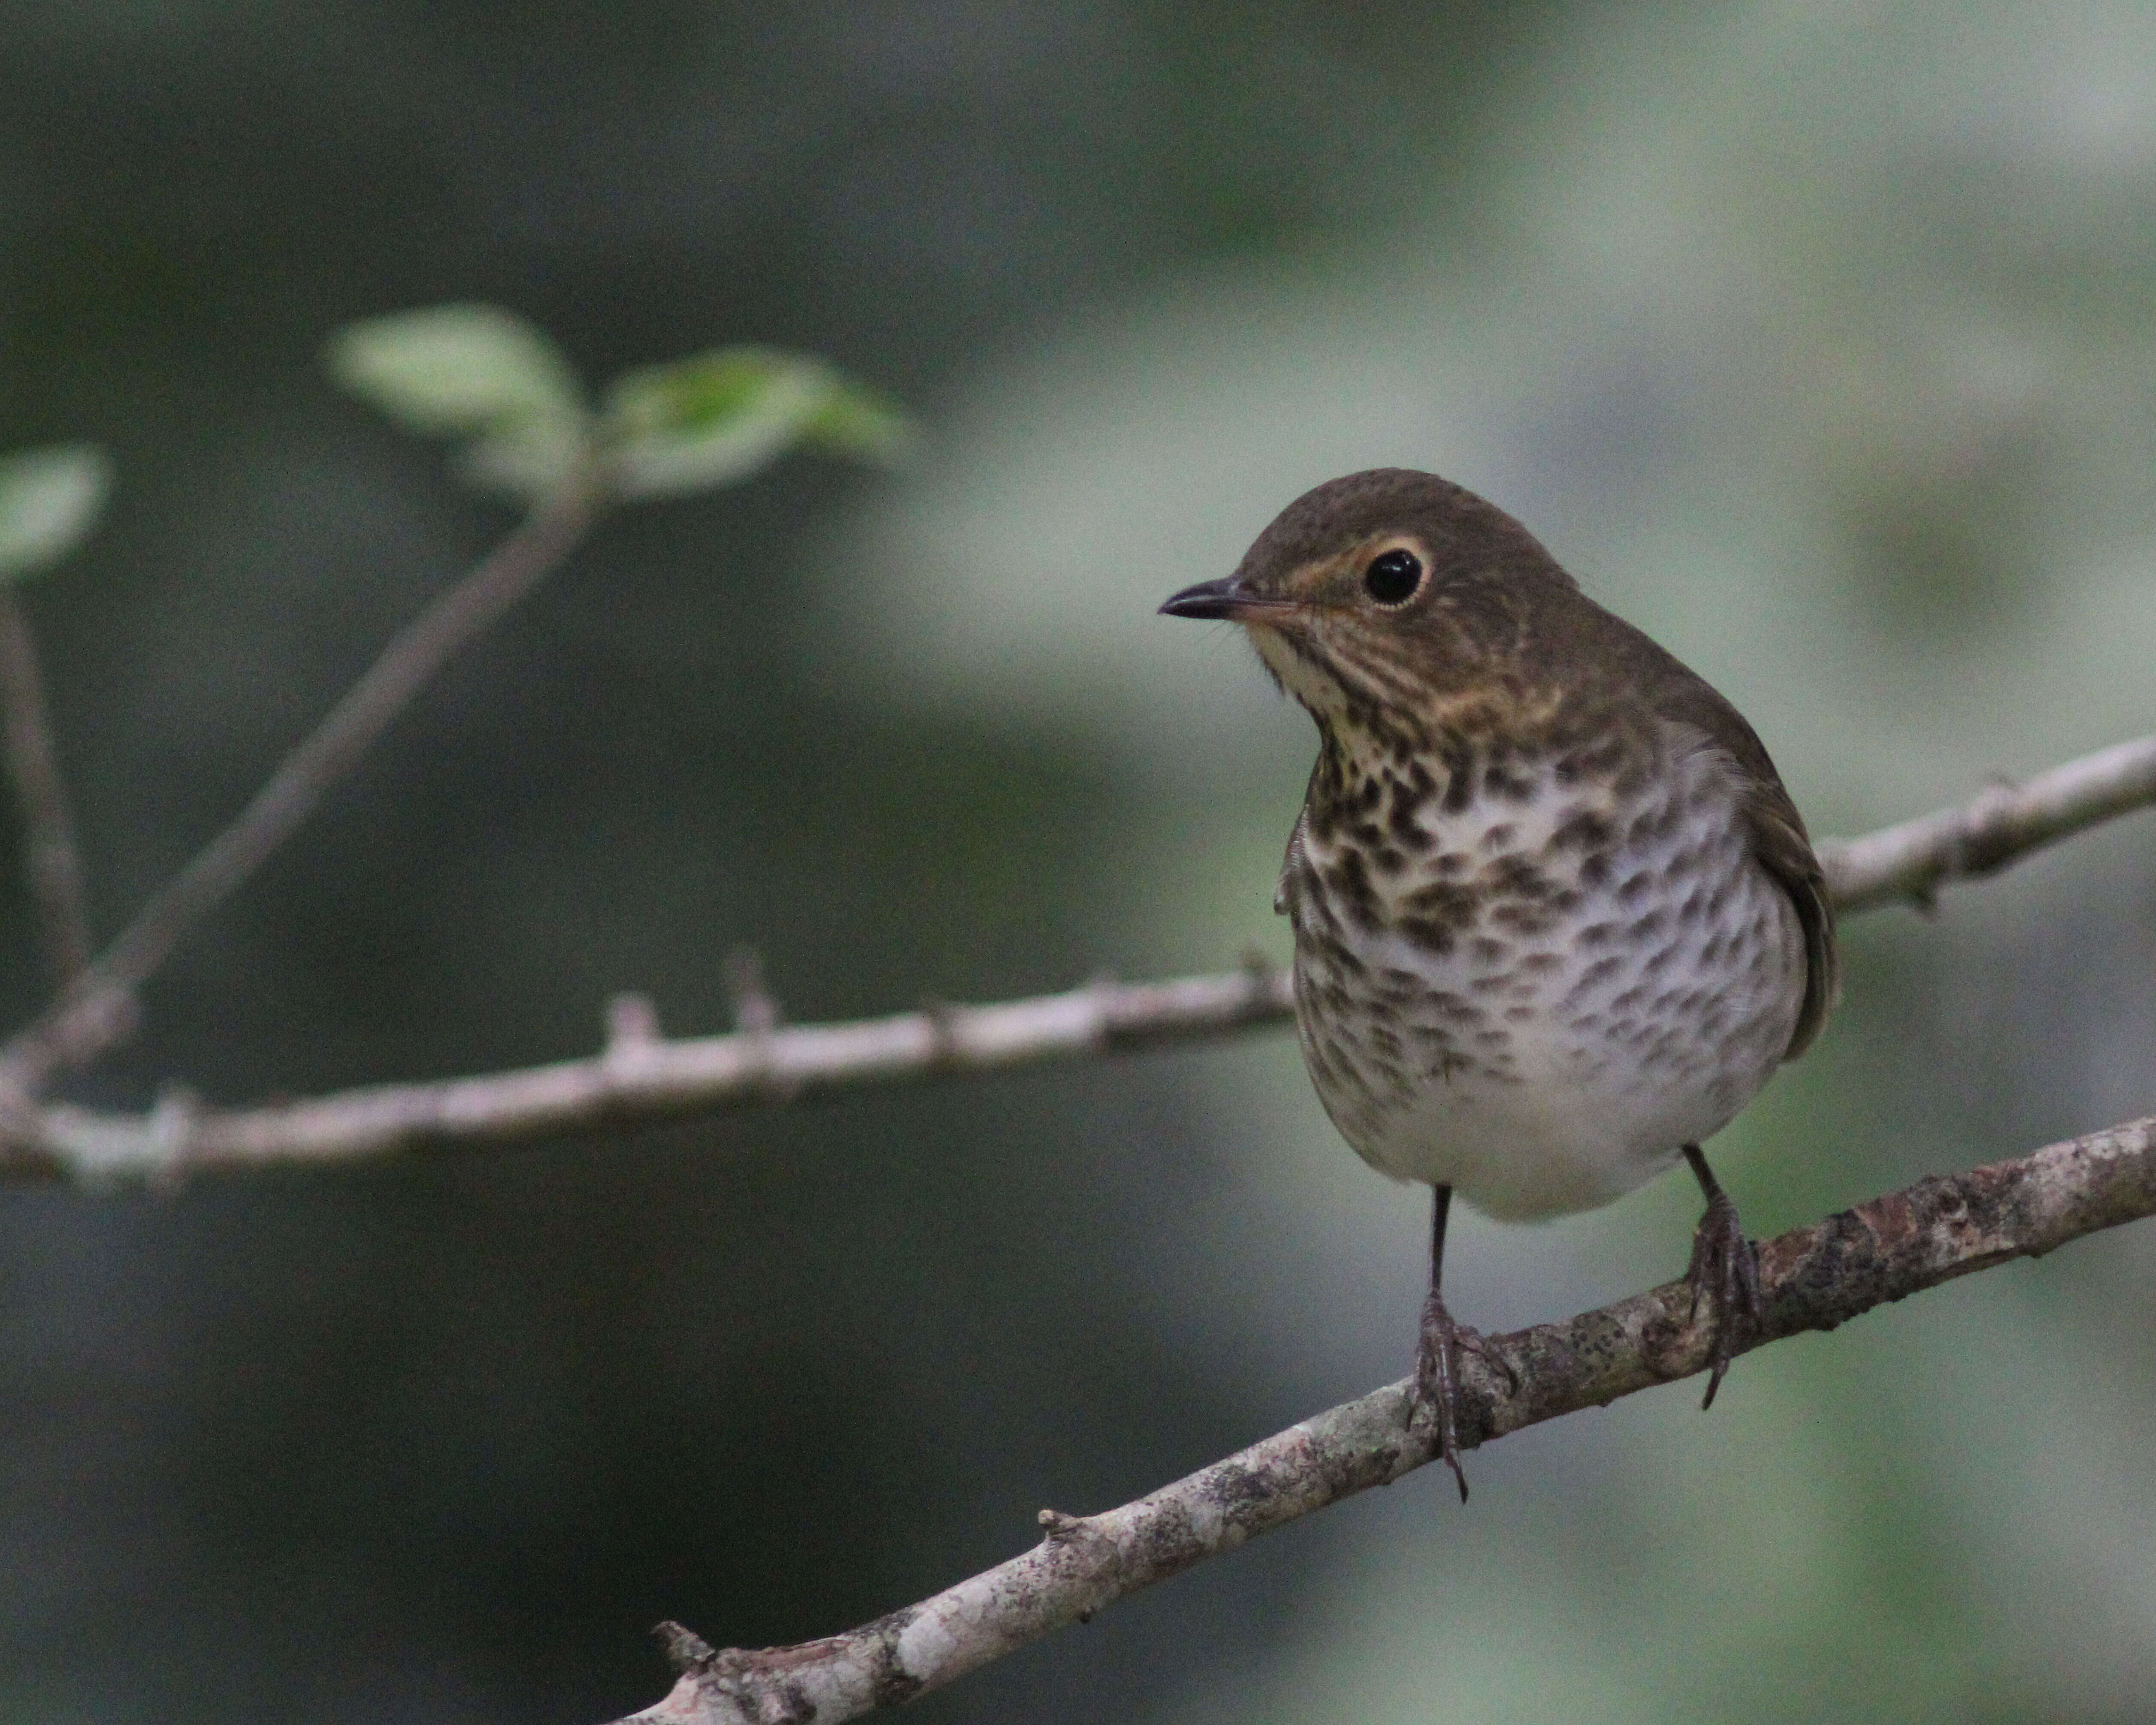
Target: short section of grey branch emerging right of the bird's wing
2006 823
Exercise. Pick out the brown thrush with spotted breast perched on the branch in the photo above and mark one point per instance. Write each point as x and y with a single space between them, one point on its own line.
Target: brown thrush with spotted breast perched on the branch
1556 913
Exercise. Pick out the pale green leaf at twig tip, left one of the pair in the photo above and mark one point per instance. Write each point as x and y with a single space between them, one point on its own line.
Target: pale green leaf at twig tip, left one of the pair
478 374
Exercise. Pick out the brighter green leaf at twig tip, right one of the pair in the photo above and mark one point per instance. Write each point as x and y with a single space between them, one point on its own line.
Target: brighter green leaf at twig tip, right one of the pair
721 417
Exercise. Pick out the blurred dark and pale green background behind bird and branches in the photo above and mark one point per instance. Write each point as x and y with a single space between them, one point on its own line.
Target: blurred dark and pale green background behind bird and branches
1816 340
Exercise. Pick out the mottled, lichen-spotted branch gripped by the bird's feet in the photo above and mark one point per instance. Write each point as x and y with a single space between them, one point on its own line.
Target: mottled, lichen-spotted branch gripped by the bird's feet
1814 1280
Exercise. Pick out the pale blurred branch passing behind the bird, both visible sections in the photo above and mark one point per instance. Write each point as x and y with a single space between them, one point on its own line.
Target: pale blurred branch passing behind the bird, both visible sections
766 1064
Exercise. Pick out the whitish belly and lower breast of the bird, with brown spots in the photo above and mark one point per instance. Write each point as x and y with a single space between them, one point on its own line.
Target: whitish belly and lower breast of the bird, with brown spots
1590 1012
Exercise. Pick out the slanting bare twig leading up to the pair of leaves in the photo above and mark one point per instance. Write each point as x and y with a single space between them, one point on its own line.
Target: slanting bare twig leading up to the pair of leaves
100 1008
